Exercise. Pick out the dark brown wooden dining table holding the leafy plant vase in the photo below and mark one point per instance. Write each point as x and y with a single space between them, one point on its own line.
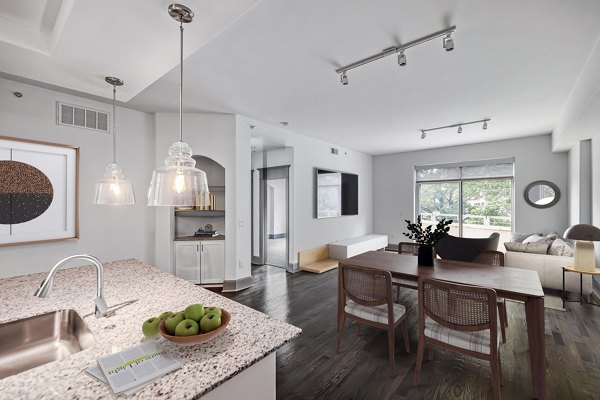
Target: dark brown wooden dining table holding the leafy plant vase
511 283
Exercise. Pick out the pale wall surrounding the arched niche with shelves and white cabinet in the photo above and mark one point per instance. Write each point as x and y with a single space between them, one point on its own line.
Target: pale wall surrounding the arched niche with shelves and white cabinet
213 136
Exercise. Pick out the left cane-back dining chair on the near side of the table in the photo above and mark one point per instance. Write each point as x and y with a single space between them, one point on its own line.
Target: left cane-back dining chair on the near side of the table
366 297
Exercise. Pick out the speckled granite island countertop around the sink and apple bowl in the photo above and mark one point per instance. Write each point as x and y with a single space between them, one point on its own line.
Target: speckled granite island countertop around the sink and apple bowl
135 291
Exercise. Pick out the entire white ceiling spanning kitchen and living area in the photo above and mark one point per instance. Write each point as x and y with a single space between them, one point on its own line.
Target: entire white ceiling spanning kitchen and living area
515 62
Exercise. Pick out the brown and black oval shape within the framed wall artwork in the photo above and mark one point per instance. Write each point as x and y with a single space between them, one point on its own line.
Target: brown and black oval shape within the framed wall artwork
25 192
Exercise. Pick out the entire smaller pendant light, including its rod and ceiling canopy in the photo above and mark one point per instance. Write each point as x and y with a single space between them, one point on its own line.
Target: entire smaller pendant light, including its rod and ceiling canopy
113 189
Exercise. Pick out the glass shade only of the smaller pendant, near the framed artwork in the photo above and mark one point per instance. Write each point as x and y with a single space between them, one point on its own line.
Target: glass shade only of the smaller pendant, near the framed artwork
113 189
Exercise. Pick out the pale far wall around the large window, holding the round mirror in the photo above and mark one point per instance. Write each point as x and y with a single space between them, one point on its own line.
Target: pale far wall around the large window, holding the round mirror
394 187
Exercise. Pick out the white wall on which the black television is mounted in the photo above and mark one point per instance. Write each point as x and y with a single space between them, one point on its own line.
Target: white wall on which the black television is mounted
306 231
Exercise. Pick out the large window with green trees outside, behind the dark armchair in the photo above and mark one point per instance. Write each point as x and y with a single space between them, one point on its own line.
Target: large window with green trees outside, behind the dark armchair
477 196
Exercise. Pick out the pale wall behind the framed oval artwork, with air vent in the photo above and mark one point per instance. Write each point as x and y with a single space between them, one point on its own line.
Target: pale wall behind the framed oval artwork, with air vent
109 233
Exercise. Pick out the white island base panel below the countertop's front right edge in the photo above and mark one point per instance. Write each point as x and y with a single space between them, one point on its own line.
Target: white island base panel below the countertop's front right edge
256 382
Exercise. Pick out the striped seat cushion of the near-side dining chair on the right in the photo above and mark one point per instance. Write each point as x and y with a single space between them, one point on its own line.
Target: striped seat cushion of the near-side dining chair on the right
478 341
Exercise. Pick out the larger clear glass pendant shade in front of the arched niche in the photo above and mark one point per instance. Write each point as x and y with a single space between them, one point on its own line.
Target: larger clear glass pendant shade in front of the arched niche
178 182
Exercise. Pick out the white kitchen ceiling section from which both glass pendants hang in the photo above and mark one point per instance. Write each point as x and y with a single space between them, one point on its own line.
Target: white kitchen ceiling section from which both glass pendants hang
75 44
